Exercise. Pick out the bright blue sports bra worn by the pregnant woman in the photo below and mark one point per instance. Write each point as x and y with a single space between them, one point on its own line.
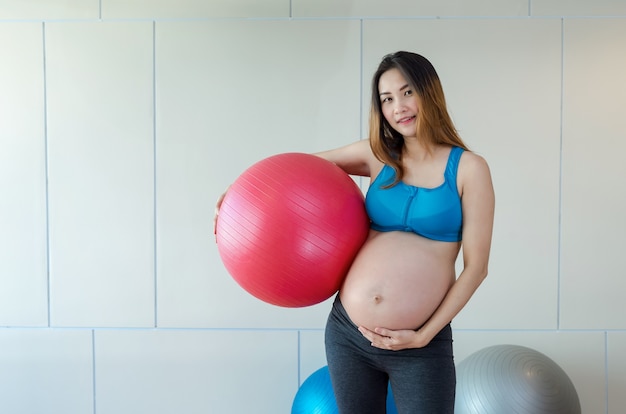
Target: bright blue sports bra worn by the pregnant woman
434 213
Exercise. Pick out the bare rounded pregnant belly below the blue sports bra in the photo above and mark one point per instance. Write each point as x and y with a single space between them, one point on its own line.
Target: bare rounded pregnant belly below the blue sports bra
398 280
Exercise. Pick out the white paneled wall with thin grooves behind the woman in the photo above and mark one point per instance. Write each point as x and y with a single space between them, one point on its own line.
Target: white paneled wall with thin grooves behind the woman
121 122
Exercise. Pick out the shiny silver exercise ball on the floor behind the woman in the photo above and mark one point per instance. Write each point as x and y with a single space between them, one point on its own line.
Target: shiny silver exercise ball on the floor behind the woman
513 379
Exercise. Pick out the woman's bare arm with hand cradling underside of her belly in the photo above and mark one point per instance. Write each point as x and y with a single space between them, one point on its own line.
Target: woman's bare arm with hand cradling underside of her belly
478 202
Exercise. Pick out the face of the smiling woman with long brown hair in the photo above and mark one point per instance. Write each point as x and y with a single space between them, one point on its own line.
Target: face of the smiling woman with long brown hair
398 102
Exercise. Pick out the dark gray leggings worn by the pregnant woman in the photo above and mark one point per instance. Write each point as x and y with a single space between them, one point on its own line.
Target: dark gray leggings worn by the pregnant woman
423 381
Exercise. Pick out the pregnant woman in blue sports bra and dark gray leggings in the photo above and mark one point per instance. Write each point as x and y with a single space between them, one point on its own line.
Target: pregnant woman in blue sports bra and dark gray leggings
428 195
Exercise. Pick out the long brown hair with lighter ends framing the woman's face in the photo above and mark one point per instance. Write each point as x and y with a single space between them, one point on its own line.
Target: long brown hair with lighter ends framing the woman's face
434 124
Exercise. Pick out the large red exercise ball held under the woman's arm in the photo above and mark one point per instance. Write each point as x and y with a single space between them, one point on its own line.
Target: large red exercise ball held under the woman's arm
290 227
